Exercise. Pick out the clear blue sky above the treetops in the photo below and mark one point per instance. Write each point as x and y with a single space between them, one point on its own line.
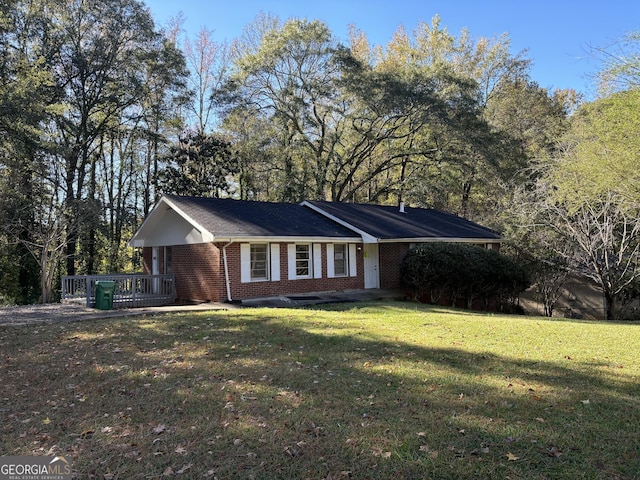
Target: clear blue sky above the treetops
558 35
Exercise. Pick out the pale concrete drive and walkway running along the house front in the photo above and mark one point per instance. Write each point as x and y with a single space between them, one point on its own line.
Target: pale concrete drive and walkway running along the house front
62 312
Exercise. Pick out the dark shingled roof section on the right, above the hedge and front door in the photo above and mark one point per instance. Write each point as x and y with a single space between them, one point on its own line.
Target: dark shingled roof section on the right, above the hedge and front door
387 222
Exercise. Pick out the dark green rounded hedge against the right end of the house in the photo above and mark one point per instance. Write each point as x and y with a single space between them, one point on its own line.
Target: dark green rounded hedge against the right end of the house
463 275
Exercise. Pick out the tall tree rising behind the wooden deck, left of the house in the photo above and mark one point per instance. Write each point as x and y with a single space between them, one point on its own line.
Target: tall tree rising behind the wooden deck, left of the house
99 53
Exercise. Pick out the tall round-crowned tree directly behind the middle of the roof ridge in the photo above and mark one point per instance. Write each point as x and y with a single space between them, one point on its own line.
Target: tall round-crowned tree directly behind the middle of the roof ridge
291 80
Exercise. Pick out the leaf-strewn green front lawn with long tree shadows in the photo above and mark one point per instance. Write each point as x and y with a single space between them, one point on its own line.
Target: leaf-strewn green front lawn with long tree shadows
378 390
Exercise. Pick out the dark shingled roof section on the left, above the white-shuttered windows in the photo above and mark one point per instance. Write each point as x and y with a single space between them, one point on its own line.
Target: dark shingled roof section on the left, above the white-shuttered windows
236 218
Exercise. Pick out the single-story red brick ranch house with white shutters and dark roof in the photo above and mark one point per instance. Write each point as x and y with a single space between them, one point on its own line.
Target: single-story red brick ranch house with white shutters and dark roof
223 250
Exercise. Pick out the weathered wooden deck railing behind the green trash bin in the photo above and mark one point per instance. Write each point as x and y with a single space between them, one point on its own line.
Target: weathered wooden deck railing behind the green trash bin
130 291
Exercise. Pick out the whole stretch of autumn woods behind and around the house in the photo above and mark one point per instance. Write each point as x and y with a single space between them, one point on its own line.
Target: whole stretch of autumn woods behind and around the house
101 112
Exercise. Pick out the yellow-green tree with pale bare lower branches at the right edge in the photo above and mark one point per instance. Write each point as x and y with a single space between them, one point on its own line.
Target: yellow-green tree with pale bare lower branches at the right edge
588 195
